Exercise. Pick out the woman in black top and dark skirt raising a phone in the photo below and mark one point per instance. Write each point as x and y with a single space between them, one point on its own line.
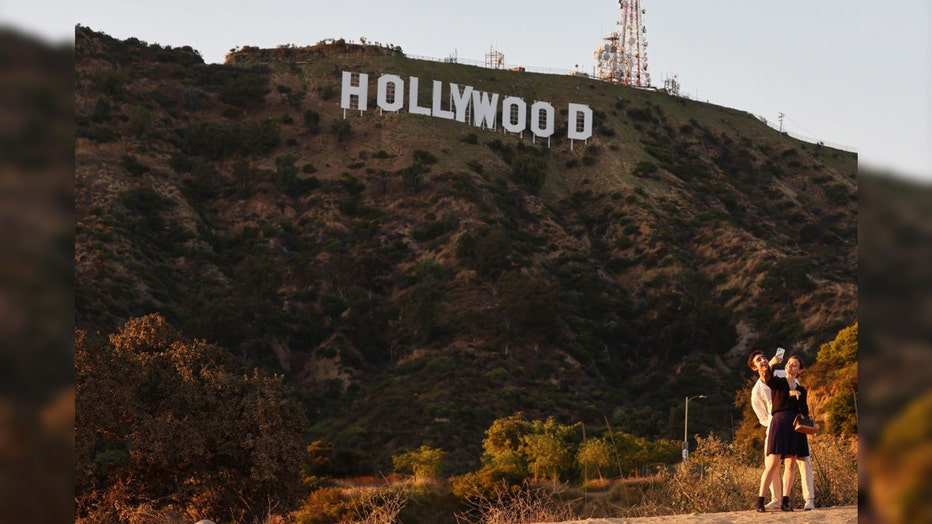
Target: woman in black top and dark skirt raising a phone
782 442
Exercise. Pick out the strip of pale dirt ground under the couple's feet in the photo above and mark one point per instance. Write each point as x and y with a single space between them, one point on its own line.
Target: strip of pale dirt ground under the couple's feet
834 515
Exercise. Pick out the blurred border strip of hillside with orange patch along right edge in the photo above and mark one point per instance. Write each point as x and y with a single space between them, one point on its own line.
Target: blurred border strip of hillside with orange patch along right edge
895 348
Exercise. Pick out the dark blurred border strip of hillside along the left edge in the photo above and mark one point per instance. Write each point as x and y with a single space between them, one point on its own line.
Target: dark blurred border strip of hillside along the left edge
36 275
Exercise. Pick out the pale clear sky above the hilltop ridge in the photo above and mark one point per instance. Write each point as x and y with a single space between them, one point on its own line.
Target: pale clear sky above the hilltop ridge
856 73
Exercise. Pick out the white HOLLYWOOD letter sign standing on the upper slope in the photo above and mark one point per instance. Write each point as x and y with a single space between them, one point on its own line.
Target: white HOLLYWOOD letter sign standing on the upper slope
462 103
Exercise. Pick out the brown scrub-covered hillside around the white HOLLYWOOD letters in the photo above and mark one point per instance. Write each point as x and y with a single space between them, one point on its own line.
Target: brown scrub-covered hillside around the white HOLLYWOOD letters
417 278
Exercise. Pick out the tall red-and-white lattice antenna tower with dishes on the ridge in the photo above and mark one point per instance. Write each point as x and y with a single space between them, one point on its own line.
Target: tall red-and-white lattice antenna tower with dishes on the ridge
622 59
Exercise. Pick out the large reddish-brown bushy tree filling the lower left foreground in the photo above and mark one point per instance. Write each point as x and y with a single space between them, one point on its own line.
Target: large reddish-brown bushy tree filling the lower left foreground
180 425
